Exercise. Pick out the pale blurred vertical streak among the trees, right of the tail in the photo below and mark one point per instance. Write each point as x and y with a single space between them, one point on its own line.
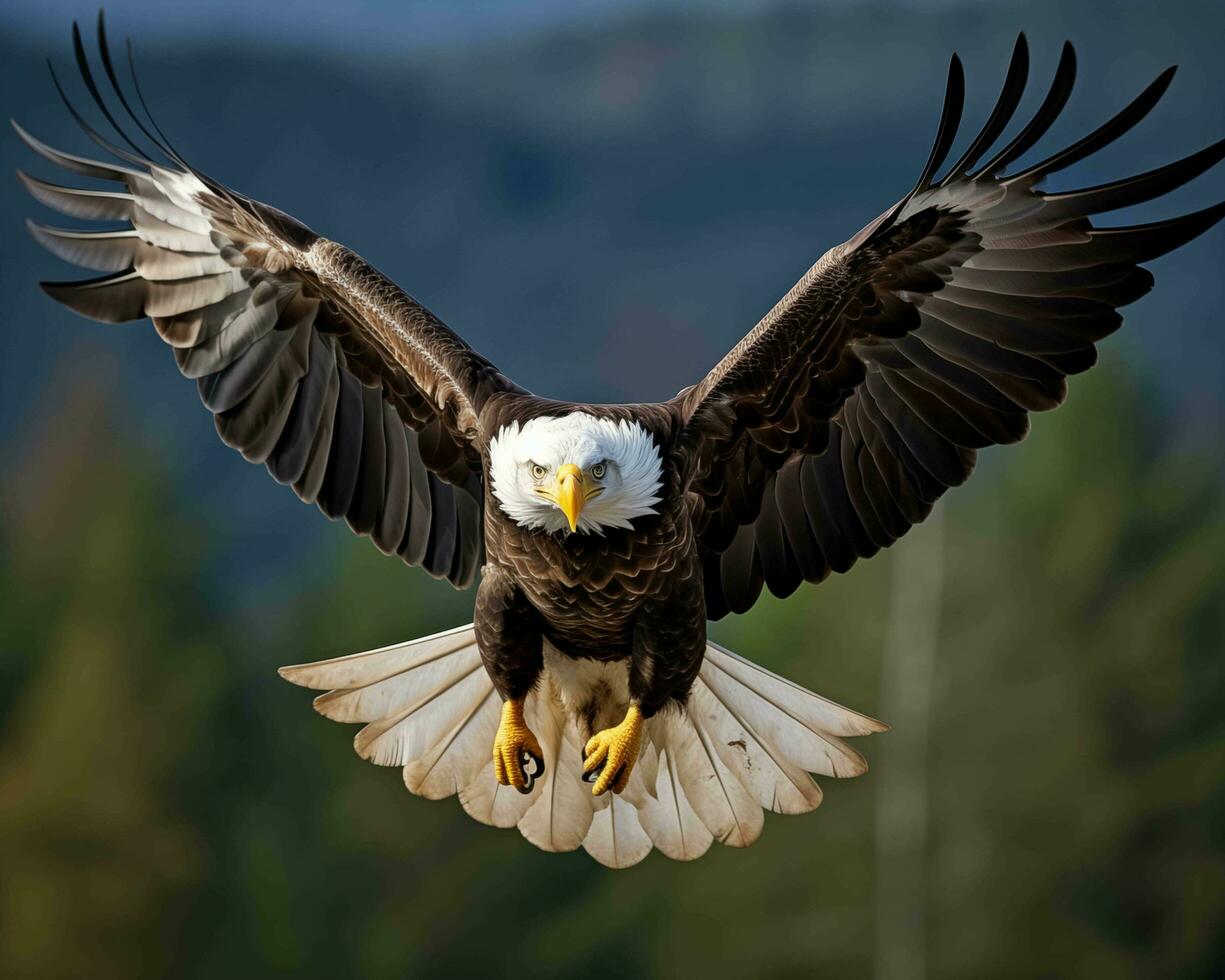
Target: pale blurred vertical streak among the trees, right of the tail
910 663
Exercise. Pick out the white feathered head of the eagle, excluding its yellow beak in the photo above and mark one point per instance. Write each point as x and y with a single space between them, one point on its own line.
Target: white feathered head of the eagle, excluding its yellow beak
629 488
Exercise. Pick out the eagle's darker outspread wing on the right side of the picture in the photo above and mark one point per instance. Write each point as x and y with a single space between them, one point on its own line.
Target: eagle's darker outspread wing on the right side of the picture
867 393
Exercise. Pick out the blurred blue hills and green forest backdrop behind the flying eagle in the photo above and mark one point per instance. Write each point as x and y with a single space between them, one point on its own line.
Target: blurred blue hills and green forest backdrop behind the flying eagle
603 198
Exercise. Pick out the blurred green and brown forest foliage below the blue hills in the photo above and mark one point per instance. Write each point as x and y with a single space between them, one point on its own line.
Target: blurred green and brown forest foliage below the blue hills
170 808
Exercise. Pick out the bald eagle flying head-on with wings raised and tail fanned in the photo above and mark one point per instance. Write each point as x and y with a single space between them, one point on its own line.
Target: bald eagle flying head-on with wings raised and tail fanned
585 704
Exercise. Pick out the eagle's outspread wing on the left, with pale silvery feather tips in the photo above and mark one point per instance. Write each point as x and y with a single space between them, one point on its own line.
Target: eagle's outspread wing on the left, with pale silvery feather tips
312 362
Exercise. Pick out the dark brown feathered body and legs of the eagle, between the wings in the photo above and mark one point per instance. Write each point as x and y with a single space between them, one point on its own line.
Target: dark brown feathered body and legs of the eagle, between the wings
629 595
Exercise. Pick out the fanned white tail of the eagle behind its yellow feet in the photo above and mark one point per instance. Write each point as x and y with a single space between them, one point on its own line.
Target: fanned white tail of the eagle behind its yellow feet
748 739
